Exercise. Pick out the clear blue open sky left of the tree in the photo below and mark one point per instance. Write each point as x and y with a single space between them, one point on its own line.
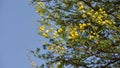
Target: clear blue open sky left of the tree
17 33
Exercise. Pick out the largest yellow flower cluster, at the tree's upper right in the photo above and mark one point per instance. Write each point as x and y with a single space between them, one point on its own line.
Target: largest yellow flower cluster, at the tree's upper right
100 16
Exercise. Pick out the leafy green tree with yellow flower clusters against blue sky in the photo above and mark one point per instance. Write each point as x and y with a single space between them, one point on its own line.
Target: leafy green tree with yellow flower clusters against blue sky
81 33
